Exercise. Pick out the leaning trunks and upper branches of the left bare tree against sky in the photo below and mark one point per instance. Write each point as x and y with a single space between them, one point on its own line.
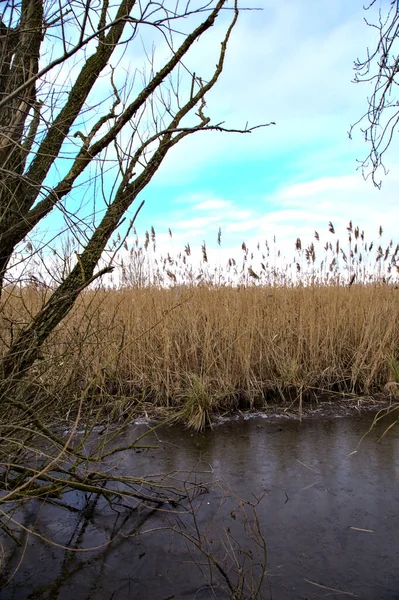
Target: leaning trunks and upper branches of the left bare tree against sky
68 115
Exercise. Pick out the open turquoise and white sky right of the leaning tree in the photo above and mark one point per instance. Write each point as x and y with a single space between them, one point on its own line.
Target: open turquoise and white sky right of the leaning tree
291 63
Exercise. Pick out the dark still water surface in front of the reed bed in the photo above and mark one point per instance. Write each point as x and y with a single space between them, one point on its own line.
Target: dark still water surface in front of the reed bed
329 516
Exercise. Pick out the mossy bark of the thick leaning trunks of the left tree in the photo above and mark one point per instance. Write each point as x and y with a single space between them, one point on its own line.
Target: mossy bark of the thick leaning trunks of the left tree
25 215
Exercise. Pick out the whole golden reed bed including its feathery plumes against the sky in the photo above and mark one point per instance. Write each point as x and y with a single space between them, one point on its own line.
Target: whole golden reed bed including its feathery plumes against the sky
200 346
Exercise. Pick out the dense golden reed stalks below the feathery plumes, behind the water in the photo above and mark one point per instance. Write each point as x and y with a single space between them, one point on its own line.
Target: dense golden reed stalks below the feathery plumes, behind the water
215 348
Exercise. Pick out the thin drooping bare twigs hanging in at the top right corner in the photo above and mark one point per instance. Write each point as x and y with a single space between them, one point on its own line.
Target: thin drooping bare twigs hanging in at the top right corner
380 69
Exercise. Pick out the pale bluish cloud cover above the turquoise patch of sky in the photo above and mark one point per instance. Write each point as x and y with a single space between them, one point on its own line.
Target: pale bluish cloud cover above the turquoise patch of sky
291 64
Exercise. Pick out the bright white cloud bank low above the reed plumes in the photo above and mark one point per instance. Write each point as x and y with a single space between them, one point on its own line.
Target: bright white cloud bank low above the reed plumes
299 210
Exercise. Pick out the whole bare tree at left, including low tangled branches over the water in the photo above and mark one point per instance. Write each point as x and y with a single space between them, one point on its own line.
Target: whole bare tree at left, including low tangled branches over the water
93 96
